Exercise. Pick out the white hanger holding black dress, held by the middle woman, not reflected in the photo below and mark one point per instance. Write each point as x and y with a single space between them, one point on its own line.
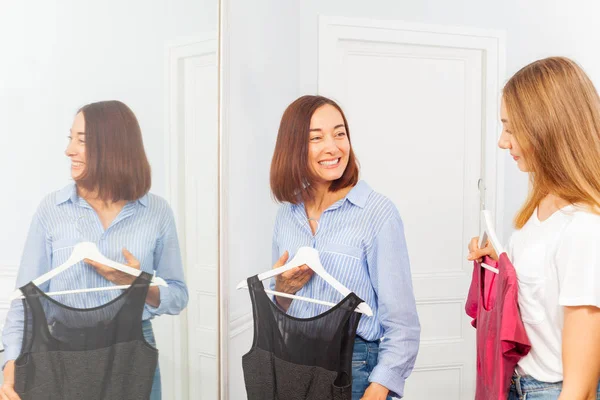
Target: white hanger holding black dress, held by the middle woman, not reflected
310 257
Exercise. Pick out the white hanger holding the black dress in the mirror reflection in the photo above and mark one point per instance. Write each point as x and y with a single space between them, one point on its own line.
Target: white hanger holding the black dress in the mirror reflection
90 251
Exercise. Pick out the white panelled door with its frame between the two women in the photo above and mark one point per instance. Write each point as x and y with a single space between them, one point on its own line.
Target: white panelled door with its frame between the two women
421 104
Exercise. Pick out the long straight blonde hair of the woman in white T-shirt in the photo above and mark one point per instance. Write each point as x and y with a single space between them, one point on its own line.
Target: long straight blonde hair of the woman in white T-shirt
554 113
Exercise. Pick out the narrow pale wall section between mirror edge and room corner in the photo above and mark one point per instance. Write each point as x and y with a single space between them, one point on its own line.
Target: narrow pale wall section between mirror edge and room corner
260 80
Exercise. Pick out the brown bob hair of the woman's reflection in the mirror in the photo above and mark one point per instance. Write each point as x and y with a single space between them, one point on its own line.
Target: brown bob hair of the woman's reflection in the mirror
116 164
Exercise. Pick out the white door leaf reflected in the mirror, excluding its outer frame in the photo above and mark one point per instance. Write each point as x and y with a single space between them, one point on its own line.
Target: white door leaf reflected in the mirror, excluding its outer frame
201 213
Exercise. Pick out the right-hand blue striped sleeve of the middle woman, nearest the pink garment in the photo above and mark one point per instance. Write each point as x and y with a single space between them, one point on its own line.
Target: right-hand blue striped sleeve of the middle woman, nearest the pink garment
389 268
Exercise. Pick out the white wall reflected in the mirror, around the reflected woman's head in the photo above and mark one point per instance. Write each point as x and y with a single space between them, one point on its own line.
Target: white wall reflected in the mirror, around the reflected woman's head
60 55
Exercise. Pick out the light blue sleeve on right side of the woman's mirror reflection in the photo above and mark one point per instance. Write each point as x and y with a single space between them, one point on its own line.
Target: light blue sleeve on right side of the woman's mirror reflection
169 266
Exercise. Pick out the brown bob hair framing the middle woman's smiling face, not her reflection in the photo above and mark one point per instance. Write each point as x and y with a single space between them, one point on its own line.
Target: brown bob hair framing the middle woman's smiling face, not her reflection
291 179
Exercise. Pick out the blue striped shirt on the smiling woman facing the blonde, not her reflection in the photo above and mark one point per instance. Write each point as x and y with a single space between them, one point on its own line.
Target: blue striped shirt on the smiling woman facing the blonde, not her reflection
361 243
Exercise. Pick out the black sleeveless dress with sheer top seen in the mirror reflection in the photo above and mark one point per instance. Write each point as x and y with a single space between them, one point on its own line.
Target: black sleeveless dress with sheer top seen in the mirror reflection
93 354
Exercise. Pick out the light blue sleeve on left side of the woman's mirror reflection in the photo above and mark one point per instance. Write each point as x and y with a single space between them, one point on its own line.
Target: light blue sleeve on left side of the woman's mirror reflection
35 261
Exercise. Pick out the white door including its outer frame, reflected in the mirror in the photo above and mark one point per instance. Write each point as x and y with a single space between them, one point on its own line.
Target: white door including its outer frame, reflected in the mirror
192 145
